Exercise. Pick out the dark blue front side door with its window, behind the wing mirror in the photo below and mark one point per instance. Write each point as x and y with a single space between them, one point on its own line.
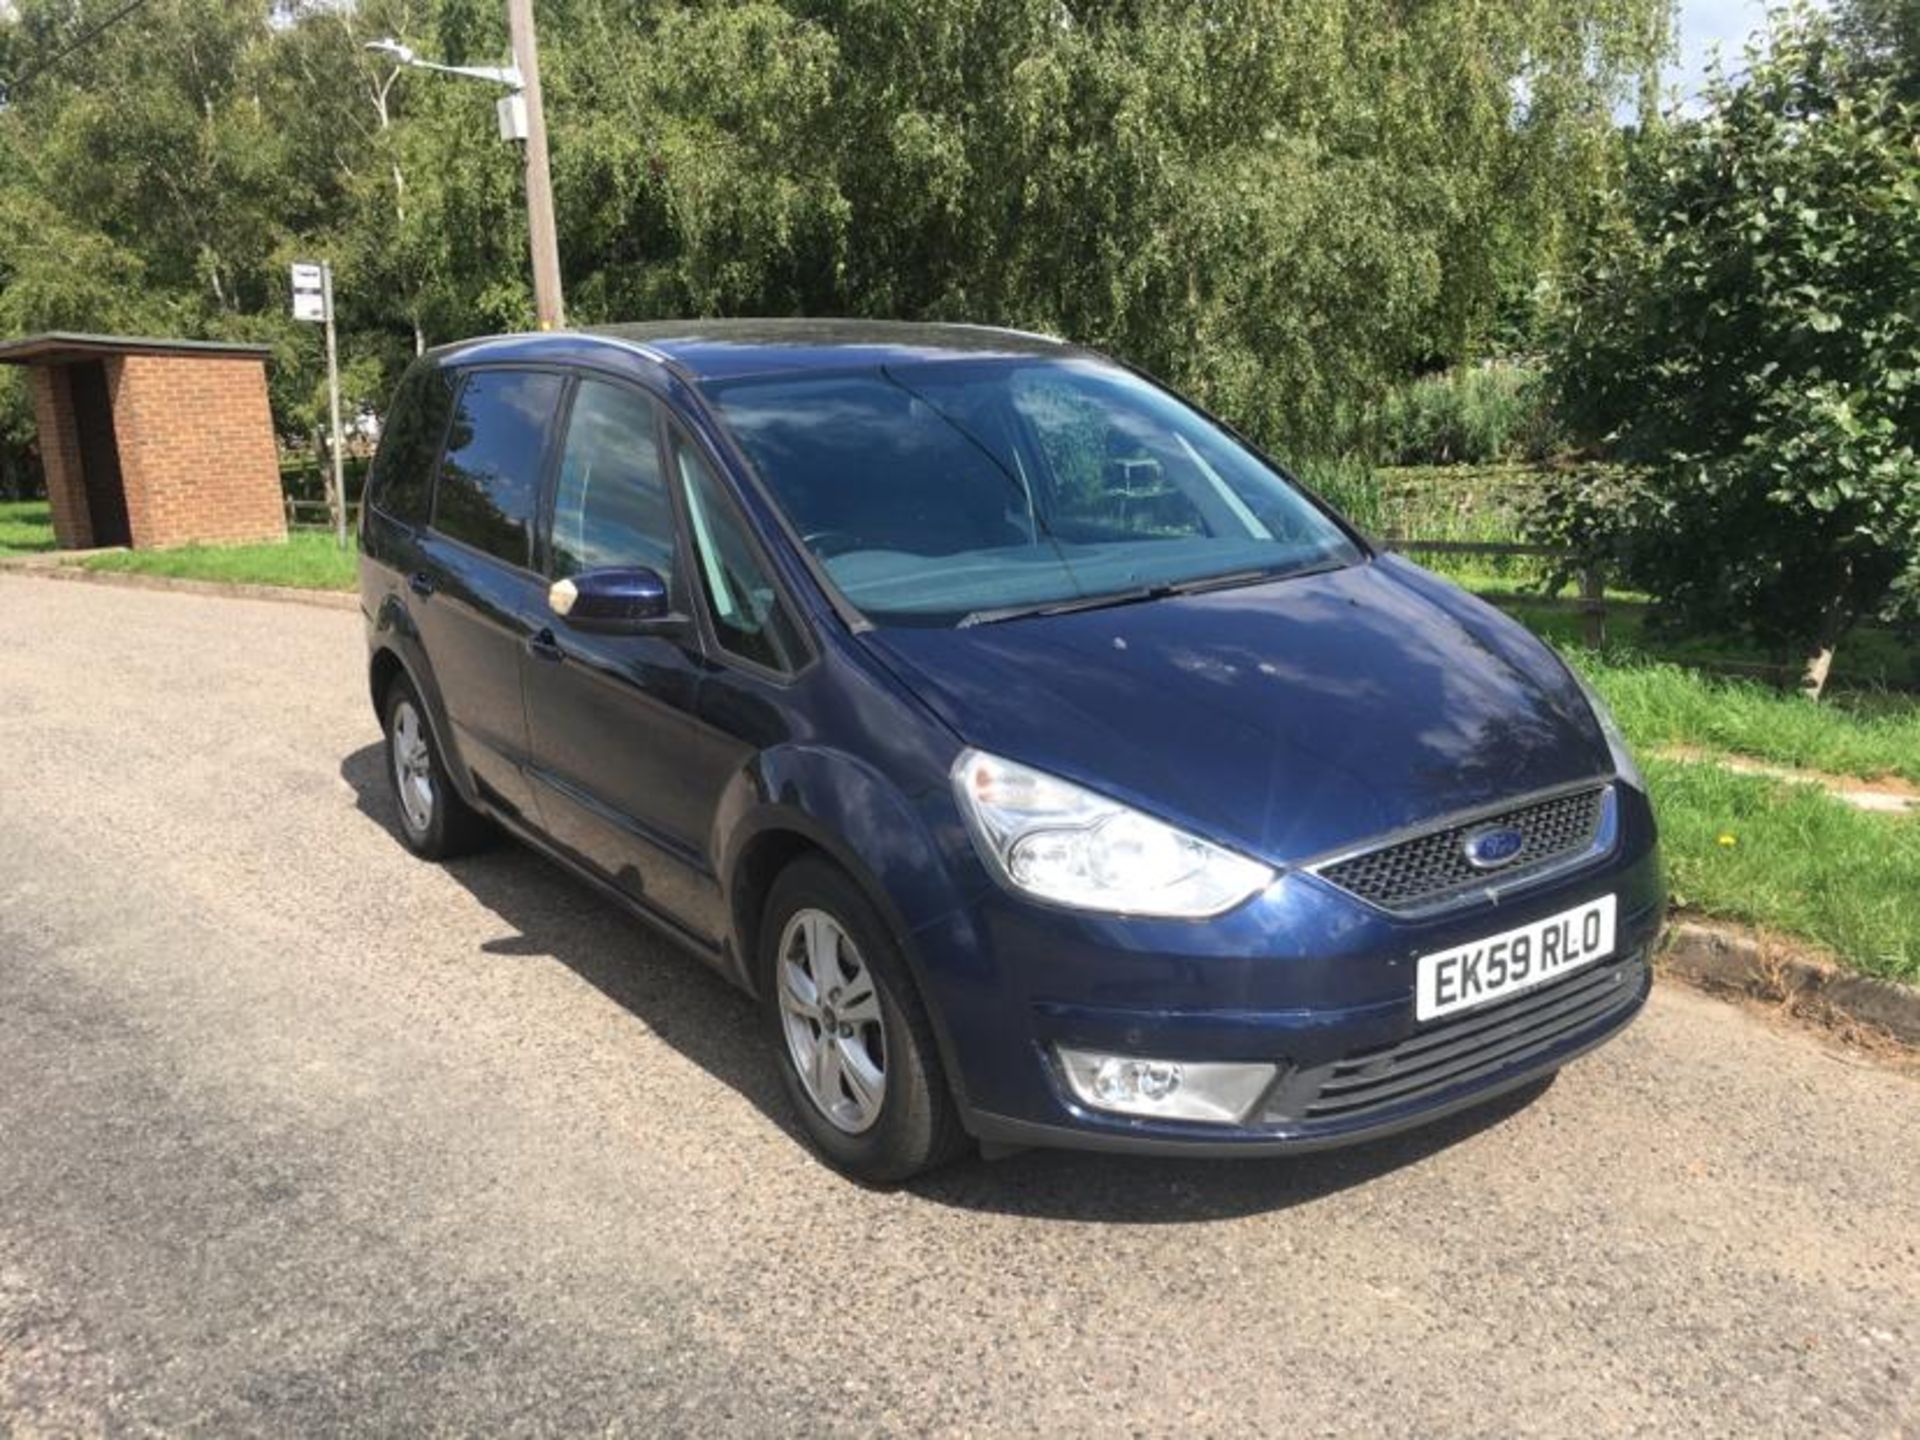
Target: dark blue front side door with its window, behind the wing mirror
612 717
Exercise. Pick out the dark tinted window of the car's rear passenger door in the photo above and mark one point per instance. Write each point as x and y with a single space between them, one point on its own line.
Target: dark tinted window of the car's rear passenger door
491 477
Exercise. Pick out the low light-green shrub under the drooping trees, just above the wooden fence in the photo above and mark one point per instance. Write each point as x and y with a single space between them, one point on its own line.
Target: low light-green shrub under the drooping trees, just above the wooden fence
1477 416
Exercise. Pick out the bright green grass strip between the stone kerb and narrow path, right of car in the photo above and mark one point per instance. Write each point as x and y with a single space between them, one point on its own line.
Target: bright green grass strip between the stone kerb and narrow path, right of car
1792 859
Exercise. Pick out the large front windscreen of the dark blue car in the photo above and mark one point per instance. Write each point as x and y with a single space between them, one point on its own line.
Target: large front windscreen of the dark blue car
957 492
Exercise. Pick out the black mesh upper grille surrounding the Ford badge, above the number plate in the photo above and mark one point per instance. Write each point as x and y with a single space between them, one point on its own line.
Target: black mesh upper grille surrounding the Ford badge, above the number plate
1428 871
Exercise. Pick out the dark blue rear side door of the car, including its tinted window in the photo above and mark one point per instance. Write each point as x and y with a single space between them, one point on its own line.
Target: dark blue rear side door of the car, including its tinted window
477 598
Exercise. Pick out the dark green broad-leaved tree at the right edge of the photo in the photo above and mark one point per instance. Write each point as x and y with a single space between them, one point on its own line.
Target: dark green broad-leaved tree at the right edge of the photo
1746 337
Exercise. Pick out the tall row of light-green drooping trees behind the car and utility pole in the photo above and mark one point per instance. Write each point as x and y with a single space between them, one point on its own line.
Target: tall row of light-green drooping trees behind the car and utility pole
1280 204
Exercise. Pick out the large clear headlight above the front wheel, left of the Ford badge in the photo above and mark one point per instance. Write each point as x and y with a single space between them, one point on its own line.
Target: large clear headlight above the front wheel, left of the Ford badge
1063 844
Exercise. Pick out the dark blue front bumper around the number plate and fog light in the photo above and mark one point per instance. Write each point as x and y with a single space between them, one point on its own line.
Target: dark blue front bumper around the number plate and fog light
1305 978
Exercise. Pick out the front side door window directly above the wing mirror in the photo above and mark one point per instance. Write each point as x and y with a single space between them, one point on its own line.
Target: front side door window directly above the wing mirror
612 504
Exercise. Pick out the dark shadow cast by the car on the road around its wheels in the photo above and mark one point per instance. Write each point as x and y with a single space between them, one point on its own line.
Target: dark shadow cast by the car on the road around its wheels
717 1028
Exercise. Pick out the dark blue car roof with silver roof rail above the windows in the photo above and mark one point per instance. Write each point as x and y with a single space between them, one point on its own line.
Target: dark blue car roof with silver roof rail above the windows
725 350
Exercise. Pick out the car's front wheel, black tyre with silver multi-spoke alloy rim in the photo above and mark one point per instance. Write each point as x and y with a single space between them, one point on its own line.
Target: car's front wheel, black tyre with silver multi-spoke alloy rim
853 1042
